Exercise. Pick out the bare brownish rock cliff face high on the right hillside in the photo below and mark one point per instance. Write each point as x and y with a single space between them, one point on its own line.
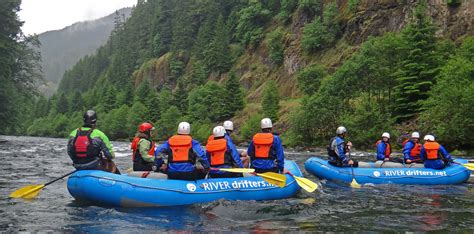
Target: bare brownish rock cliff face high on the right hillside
369 18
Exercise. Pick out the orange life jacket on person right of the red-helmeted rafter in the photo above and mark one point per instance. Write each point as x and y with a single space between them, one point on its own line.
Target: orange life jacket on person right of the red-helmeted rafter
181 149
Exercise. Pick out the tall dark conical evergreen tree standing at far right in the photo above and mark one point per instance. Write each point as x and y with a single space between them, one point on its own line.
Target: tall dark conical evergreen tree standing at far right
418 70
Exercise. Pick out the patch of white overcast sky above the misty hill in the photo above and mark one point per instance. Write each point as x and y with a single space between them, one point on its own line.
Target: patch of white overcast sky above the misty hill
45 15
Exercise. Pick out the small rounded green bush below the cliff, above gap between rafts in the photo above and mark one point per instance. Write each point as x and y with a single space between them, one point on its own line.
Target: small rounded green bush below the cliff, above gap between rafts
309 79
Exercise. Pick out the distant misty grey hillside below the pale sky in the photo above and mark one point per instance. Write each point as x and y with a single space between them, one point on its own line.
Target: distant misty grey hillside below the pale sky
61 49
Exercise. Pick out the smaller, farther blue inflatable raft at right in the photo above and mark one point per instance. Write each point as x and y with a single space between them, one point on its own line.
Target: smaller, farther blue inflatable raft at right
373 173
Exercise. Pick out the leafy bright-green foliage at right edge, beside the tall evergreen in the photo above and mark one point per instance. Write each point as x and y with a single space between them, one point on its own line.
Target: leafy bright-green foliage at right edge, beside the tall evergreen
449 108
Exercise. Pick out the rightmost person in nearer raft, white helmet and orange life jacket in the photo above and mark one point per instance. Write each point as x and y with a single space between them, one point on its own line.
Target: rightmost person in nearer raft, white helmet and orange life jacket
266 151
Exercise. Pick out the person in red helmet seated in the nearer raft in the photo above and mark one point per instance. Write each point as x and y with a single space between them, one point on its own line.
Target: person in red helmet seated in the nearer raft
143 147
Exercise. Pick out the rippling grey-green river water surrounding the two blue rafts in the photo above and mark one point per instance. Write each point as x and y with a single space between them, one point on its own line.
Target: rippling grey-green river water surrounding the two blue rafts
333 207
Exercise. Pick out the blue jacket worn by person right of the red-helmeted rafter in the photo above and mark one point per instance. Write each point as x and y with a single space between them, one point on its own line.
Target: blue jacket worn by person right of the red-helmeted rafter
181 167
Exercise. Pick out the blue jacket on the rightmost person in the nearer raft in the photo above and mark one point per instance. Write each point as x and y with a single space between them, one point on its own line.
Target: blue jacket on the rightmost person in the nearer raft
268 164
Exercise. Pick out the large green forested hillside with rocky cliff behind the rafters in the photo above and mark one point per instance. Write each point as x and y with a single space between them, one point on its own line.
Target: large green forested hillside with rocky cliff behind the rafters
310 65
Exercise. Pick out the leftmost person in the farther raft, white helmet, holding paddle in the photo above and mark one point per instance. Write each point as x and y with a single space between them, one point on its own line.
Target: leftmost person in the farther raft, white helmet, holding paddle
338 150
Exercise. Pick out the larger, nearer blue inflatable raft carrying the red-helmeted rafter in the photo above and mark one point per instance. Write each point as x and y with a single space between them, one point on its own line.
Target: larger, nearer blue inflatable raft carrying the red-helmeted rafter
126 191
